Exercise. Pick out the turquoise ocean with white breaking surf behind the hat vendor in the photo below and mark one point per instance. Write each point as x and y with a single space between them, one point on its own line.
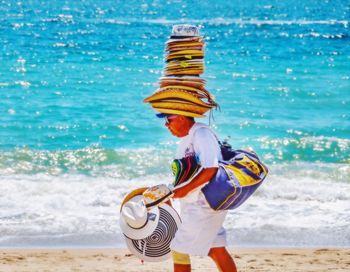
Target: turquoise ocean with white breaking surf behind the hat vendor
75 136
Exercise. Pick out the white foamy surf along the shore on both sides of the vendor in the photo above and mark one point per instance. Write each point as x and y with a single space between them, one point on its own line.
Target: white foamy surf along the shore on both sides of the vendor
300 208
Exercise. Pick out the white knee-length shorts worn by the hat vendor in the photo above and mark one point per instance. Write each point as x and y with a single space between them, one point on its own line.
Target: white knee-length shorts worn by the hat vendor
201 228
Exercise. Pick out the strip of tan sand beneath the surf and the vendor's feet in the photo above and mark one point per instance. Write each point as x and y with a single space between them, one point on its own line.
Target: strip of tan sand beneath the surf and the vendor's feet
262 259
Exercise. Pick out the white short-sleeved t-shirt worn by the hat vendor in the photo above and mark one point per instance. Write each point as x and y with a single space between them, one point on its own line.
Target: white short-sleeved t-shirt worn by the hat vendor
201 142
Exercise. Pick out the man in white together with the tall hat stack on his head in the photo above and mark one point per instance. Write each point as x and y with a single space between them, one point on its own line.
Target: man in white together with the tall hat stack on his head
201 231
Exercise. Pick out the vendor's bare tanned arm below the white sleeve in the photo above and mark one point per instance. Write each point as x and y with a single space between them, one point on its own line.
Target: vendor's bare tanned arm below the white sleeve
204 176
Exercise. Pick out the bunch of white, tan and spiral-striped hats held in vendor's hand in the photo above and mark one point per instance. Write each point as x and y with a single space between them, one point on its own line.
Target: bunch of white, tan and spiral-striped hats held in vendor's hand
148 232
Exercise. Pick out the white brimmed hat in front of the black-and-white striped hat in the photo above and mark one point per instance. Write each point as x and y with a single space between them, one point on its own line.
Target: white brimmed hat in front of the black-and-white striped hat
136 221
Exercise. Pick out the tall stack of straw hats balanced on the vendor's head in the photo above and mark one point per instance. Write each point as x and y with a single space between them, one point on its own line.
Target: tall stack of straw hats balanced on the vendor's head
181 90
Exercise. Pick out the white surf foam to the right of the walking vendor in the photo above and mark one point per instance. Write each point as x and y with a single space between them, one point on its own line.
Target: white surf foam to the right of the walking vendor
300 211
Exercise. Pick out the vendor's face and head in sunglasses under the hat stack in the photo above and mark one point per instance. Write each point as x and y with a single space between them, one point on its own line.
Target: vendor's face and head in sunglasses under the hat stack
179 125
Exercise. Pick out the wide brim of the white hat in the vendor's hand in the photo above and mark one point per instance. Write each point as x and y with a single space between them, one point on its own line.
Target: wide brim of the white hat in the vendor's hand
147 229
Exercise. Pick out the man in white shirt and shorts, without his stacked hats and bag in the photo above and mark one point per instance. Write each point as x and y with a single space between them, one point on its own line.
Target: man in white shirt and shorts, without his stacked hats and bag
201 232
